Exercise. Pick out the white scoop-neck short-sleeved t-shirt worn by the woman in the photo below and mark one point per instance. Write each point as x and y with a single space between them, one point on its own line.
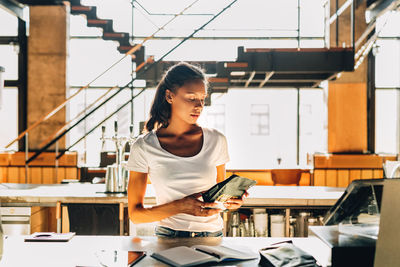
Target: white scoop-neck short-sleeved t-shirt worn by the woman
174 177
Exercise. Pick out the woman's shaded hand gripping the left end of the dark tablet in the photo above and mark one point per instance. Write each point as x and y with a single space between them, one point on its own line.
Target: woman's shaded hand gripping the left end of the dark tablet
193 206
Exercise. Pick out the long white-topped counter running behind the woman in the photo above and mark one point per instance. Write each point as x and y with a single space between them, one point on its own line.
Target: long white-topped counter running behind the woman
49 195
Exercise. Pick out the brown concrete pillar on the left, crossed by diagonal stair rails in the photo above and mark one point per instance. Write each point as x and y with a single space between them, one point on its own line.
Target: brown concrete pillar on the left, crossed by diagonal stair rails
47 66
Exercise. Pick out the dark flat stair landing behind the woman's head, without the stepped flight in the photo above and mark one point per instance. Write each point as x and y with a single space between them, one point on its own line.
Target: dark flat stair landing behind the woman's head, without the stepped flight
264 67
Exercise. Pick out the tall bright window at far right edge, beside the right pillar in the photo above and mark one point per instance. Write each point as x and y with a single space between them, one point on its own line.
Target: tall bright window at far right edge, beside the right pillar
387 82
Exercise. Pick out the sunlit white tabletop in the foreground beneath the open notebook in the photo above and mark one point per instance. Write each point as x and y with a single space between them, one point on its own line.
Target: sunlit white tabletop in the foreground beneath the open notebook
86 250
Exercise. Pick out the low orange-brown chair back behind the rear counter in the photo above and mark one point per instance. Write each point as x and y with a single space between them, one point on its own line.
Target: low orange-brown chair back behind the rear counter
290 177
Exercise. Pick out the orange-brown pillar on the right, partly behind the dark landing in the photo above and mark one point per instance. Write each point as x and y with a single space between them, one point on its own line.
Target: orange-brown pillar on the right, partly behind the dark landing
347 95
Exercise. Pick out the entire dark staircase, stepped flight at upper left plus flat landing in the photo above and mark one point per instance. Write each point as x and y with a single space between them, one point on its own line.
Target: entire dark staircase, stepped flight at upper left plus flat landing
253 68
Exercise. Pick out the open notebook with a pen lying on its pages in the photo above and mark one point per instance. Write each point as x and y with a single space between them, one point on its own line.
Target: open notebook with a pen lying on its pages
199 254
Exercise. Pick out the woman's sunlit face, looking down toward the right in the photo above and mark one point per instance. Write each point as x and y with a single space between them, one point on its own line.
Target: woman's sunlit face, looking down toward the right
188 101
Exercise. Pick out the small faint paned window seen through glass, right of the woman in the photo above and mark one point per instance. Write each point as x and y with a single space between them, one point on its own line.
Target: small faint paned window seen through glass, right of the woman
259 117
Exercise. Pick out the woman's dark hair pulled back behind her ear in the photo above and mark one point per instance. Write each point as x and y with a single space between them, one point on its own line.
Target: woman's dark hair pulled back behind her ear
175 77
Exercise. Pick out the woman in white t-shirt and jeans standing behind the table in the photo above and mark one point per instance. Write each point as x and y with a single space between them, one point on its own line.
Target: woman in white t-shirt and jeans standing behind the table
180 158
